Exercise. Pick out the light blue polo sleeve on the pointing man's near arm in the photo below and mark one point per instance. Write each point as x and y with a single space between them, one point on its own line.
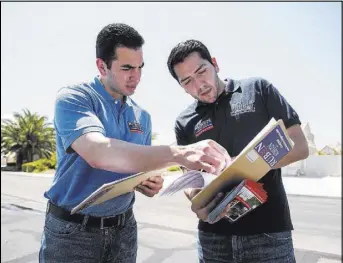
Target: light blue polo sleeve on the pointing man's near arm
75 116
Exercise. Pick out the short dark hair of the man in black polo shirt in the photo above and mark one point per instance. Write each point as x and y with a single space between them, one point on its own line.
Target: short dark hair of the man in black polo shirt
182 50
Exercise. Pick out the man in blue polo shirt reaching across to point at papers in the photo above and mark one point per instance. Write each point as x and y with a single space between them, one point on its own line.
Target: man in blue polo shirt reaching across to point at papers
103 135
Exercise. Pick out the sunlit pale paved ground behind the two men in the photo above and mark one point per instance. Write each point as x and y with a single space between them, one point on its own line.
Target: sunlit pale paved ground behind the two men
317 221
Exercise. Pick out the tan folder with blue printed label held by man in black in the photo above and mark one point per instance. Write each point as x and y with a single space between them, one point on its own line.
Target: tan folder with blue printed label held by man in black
264 151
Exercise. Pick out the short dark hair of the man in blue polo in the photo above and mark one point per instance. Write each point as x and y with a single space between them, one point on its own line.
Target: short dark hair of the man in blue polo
113 36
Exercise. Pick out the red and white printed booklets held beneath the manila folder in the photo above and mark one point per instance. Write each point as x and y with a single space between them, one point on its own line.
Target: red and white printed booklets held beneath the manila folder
242 199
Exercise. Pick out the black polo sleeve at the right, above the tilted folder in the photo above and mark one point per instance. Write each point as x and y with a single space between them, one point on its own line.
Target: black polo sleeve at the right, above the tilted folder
277 106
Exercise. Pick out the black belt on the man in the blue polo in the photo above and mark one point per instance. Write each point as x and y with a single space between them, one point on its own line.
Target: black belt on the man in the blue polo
89 221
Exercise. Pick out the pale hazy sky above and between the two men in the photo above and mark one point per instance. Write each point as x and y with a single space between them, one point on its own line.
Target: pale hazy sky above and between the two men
296 46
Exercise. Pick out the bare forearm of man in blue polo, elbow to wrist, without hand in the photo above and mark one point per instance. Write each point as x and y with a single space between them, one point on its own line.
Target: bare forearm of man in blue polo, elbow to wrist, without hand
123 157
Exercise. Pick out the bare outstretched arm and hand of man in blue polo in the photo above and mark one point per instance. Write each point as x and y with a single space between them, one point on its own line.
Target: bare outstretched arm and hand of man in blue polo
123 157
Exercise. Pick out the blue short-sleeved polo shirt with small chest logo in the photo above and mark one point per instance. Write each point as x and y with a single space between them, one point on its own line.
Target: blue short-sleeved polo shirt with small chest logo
84 108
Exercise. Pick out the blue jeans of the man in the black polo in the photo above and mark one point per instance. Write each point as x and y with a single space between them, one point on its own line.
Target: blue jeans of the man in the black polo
261 248
